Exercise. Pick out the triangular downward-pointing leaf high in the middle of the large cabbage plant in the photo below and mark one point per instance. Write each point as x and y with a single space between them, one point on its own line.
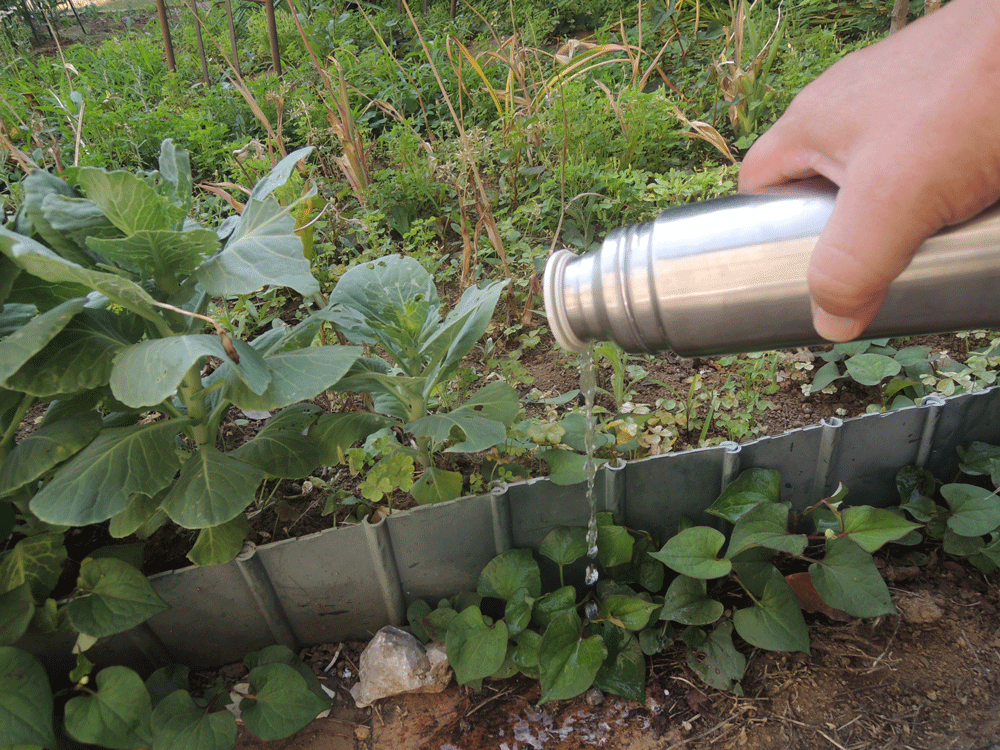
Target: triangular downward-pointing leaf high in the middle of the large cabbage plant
166 256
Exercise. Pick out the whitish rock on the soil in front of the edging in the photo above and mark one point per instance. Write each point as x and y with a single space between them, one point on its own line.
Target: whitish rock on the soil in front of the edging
395 662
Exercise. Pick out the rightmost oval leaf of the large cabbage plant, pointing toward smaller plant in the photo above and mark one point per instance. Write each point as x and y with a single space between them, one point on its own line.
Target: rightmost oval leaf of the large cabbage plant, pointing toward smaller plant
295 376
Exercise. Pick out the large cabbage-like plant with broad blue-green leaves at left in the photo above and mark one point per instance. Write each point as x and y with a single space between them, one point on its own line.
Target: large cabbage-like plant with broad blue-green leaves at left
106 282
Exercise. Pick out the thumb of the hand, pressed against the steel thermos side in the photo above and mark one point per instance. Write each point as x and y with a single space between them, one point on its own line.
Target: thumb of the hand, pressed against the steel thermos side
869 240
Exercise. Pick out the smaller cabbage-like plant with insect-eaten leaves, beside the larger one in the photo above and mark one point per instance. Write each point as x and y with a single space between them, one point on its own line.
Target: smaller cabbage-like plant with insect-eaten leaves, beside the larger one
392 303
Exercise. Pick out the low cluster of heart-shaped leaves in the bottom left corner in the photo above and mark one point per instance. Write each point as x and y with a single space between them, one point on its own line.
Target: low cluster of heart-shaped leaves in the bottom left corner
116 708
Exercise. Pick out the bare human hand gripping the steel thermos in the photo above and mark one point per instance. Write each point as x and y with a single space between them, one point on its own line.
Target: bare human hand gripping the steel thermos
909 129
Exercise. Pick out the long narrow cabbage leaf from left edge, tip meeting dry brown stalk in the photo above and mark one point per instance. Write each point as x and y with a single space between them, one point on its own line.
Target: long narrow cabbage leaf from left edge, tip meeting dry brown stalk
39 261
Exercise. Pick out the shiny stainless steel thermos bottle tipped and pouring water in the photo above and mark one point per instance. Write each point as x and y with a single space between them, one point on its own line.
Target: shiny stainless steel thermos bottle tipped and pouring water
728 275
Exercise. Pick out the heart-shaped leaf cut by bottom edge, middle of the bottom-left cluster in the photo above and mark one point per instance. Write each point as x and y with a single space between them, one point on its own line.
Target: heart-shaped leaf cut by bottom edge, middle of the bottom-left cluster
178 724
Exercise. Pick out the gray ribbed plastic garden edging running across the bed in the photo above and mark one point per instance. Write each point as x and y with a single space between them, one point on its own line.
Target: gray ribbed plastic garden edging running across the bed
347 583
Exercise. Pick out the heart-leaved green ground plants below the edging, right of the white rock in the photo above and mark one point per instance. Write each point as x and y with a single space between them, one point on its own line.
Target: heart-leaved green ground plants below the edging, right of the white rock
702 587
